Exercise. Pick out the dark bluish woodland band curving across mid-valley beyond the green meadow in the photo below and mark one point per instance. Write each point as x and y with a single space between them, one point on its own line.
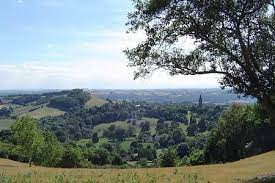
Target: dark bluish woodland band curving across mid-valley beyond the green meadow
77 124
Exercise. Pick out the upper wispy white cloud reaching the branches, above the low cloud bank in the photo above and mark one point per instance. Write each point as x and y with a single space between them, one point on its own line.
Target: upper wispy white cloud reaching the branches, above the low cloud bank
99 42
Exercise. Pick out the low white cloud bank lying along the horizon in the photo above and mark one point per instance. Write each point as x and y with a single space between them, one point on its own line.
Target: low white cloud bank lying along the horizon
91 74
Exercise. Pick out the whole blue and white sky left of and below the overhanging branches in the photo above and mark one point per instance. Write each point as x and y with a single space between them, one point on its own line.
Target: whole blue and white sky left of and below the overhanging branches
63 44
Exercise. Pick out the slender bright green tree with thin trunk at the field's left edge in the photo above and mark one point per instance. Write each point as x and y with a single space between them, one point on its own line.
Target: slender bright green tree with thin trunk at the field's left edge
26 135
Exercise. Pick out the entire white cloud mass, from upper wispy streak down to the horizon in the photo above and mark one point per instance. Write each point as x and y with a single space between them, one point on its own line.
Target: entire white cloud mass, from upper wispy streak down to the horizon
103 66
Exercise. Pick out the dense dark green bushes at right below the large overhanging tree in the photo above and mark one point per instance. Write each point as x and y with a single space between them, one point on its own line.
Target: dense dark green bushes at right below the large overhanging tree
242 131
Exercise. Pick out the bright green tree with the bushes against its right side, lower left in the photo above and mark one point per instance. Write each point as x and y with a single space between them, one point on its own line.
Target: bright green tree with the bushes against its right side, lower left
40 147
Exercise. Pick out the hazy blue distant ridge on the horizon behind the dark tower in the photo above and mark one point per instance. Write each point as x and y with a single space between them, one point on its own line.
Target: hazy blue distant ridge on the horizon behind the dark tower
214 96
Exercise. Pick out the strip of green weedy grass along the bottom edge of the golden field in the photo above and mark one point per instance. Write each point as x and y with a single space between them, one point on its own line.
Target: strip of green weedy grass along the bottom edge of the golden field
131 177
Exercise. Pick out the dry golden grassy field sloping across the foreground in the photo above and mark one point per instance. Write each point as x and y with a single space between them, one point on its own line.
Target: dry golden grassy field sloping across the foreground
239 171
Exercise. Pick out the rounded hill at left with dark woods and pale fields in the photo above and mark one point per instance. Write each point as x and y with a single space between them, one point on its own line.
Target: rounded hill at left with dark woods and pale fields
45 103
